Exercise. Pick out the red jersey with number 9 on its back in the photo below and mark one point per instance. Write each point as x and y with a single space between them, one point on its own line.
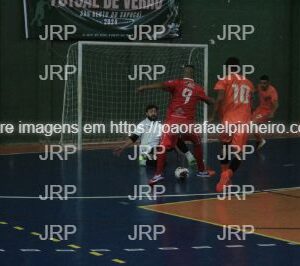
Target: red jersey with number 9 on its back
186 94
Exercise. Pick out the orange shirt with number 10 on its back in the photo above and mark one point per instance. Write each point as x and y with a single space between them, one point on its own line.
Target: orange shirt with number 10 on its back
236 105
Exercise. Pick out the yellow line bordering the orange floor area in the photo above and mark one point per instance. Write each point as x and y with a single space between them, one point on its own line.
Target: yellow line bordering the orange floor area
148 208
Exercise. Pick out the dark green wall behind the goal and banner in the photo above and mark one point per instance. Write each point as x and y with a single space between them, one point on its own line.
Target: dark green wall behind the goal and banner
274 49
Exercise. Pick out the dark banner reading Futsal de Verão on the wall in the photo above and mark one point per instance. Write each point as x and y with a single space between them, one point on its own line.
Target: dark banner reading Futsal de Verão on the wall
102 19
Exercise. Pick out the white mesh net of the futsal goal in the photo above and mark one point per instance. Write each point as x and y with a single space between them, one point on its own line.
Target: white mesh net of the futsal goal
101 93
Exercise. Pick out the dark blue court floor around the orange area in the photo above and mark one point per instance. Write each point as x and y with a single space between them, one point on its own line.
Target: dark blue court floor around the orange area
104 216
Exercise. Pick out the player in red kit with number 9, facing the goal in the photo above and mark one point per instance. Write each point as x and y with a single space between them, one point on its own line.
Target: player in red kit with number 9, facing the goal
185 95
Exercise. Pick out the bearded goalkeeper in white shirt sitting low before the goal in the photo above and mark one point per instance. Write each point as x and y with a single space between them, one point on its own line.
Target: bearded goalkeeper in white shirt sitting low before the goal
149 132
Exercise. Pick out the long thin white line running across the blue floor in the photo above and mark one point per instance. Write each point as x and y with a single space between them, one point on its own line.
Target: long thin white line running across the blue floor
158 196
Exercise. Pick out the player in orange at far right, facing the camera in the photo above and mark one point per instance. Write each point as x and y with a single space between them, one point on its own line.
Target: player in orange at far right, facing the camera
268 104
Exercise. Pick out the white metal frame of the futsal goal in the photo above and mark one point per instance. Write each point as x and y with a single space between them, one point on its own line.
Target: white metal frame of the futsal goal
80 45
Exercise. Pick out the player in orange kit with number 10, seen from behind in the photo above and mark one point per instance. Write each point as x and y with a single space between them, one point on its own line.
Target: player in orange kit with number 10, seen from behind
233 105
